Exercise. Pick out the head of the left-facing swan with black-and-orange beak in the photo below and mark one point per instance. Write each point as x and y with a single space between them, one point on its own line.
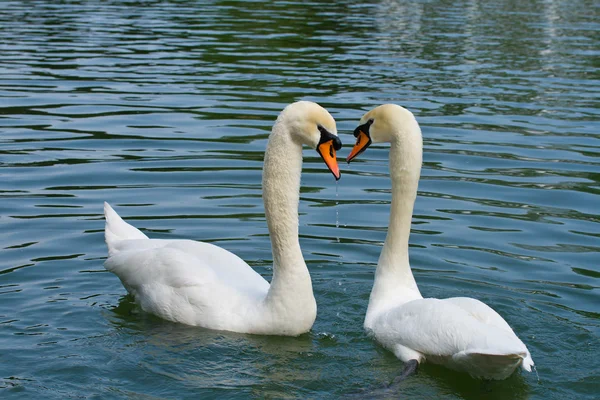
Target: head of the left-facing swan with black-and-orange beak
382 124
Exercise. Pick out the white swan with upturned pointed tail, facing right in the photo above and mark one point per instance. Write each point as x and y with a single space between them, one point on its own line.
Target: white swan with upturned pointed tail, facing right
204 285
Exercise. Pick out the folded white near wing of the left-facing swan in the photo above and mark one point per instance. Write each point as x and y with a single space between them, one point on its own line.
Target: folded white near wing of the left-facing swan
442 331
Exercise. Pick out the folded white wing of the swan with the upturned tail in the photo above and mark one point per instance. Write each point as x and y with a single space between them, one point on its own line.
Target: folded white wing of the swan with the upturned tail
186 281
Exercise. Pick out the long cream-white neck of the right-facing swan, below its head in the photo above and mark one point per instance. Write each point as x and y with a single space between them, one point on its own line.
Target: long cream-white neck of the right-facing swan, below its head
291 286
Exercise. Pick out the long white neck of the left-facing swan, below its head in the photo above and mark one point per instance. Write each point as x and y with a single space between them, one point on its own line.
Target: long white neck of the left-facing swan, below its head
394 282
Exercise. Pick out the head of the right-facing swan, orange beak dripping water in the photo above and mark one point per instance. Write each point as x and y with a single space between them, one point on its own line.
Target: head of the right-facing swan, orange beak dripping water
312 125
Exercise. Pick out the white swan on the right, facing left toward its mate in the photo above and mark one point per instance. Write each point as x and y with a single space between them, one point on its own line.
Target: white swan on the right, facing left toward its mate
461 333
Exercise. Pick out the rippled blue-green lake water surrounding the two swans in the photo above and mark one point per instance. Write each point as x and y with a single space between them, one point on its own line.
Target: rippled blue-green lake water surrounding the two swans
163 109
